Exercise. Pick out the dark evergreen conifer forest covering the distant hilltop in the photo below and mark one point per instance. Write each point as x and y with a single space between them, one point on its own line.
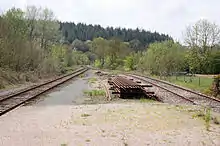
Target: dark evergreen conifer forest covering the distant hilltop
138 39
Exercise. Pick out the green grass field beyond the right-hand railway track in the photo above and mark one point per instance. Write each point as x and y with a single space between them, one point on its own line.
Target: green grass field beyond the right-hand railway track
192 82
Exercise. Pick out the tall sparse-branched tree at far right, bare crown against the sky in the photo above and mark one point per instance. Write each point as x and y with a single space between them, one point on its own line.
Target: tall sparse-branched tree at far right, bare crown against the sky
201 39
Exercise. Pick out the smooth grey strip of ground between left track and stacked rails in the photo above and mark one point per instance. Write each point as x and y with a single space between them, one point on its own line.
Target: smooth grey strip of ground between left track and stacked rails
71 94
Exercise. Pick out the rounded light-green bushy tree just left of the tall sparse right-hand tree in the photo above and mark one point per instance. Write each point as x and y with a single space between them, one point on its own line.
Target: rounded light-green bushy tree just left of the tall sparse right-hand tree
164 58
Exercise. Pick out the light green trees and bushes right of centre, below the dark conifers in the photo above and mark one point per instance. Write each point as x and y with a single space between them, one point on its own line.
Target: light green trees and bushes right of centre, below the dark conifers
200 53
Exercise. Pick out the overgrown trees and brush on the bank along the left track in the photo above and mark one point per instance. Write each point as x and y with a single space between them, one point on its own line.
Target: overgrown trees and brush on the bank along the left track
29 45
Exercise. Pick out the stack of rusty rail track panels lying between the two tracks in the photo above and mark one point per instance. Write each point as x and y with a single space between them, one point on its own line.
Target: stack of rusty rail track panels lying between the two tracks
126 88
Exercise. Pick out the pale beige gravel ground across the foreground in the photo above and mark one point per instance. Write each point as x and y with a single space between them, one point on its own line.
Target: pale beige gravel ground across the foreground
107 124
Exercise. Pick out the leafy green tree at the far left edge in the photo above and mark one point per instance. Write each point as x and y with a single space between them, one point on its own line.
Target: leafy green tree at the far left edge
14 40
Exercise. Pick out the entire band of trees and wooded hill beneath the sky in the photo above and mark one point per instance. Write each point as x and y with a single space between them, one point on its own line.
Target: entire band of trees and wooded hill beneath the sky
34 44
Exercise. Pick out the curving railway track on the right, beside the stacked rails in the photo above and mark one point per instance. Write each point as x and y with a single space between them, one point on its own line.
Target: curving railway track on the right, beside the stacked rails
168 92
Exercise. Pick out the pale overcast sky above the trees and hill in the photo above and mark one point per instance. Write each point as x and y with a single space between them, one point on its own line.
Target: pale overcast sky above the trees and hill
164 16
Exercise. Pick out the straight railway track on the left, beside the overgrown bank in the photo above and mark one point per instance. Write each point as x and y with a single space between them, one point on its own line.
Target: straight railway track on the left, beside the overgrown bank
11 101
